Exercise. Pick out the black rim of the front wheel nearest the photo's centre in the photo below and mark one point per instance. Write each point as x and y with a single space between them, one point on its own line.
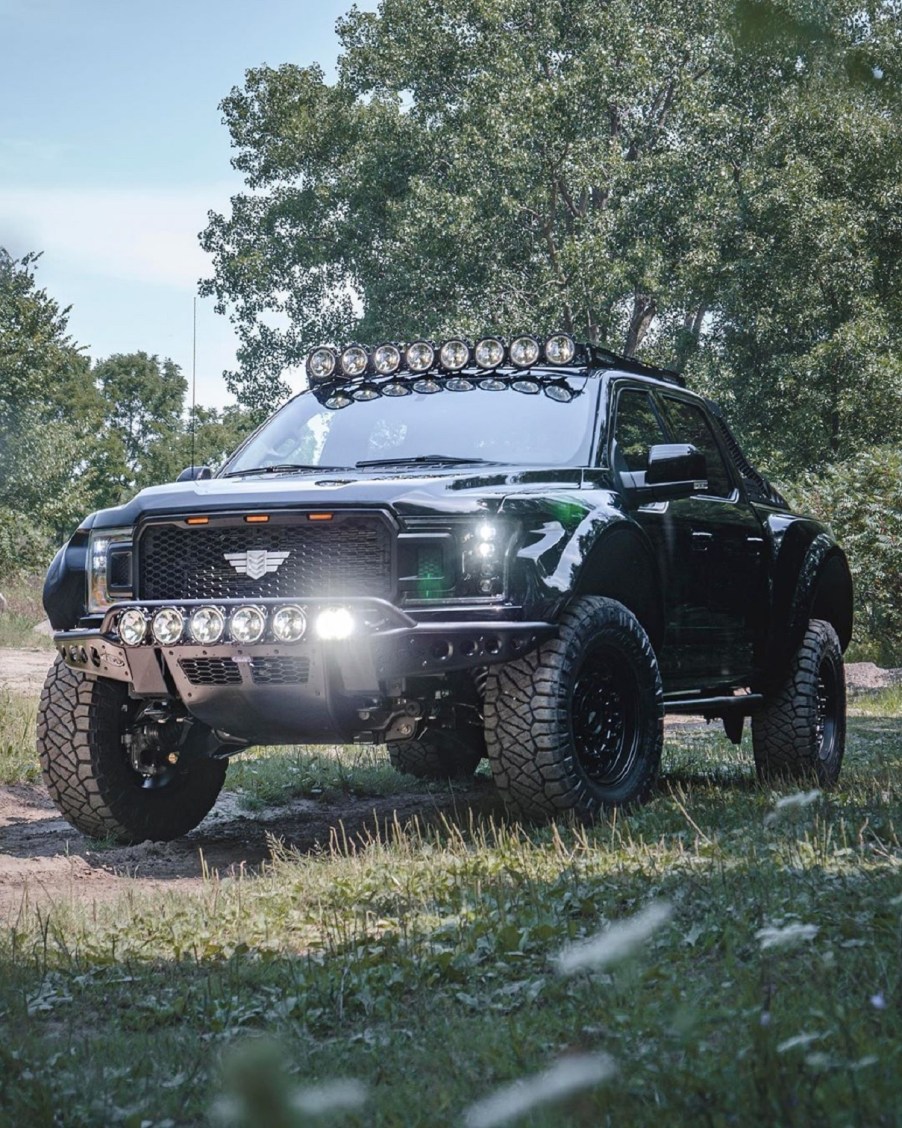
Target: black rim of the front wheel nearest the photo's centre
605 719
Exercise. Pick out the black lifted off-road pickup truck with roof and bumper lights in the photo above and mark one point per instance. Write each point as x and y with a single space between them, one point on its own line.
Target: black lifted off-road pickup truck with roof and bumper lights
526 550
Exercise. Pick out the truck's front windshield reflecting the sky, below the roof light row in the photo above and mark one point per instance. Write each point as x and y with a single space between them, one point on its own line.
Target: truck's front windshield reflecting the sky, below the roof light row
477 426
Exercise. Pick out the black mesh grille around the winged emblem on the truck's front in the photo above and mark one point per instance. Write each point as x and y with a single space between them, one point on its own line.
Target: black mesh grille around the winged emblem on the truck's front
342 558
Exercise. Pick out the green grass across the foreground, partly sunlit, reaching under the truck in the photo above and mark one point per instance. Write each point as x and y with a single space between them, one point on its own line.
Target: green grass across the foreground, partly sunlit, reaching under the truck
421 964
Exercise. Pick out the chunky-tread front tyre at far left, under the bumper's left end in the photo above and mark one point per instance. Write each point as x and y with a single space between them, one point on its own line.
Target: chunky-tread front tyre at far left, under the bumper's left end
81 726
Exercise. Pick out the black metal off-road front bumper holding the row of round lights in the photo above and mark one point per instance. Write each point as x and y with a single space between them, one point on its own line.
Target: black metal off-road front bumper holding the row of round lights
311 690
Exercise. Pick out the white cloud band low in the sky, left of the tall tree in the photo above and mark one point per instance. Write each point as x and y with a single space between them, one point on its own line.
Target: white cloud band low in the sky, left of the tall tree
128 235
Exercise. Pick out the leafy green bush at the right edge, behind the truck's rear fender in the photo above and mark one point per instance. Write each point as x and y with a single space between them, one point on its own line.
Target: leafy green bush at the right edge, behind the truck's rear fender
862 499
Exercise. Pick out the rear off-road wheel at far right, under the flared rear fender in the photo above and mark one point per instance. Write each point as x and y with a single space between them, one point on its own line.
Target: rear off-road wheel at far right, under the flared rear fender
800 734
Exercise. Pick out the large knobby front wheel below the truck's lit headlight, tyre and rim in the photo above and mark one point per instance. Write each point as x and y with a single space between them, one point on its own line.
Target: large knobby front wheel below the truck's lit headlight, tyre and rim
578 725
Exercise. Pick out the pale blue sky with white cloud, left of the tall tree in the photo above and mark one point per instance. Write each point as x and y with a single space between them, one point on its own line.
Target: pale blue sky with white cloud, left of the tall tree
112 152
